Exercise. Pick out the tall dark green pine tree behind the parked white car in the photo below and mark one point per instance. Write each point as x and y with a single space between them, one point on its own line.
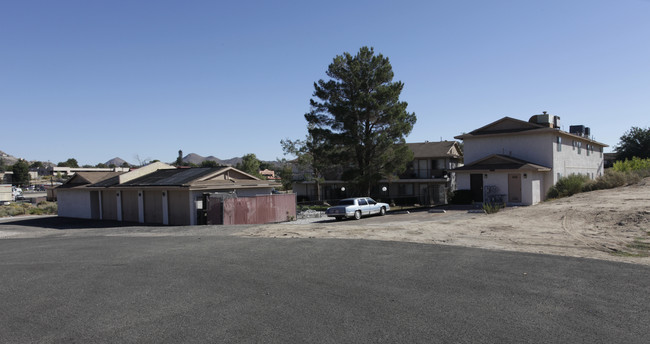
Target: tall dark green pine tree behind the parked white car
358 120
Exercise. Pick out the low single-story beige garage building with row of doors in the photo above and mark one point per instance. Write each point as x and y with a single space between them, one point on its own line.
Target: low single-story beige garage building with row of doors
155 194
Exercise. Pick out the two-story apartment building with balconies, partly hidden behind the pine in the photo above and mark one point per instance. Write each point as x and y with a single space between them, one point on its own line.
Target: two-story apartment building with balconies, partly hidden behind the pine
426 180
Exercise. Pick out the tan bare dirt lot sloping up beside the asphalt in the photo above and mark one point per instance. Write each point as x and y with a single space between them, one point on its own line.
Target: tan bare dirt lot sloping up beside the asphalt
606 224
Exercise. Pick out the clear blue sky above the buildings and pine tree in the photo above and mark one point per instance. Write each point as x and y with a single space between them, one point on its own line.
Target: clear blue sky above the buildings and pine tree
93 80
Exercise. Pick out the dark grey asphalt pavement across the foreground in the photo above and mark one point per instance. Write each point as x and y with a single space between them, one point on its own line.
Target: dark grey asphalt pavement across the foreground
84 282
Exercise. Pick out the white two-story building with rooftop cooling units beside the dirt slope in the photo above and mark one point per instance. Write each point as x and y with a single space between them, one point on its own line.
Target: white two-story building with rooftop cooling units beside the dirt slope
516 162
